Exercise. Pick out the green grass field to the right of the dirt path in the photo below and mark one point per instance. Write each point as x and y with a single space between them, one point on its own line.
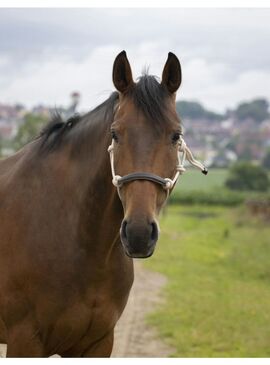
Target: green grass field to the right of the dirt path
217 300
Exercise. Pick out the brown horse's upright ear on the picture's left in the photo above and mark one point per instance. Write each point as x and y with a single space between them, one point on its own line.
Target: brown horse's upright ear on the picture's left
122 75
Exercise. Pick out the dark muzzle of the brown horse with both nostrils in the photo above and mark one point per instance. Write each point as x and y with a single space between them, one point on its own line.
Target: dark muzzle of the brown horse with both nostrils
139 238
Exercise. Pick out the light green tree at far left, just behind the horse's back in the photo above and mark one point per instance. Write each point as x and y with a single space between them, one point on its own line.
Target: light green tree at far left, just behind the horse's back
29 129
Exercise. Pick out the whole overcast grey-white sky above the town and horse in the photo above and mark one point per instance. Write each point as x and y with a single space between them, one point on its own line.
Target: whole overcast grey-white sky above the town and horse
45 54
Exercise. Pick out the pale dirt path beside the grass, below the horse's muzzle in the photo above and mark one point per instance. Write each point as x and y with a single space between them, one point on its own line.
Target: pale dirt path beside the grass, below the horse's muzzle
133 337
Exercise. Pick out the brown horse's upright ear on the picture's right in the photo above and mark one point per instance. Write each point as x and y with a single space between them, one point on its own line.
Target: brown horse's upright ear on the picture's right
172 74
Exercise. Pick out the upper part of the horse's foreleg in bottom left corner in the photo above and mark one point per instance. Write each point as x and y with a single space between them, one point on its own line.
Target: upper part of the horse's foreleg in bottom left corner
23 340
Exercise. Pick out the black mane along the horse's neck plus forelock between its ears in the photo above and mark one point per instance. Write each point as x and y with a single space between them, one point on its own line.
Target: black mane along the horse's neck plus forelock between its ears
147 94
